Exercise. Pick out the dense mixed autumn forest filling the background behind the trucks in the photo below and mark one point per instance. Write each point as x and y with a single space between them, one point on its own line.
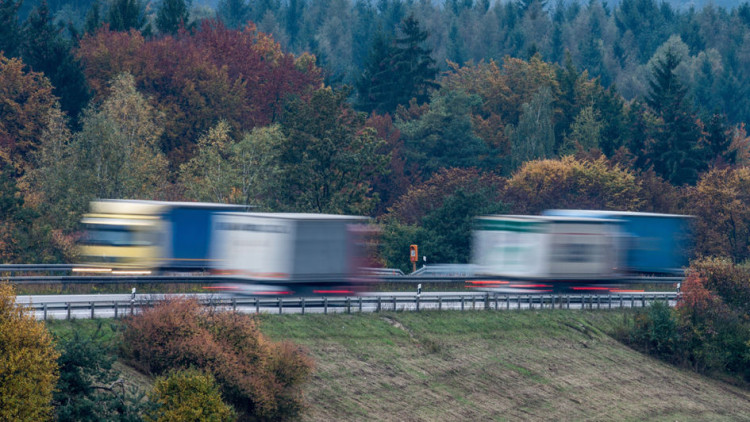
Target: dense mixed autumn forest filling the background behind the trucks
420 114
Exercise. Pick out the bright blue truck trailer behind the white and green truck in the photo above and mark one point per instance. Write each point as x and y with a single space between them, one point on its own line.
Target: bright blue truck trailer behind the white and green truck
651 243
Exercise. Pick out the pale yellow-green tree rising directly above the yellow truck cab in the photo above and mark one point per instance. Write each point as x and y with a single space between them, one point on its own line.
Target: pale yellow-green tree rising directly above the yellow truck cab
115 155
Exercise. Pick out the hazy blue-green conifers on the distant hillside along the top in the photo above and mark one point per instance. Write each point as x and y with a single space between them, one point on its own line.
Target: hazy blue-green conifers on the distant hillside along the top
615 43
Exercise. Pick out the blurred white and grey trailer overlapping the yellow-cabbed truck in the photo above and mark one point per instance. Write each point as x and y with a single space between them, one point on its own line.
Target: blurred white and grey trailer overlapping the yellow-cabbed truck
290 253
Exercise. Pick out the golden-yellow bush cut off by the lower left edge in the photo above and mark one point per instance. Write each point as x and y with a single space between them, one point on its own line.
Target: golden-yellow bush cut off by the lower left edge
28 362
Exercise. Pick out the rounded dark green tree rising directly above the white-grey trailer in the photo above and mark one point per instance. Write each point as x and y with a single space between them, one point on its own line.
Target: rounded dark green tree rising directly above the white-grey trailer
328 156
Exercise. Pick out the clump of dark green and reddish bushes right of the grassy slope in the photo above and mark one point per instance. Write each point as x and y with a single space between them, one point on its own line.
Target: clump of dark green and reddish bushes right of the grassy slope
709 330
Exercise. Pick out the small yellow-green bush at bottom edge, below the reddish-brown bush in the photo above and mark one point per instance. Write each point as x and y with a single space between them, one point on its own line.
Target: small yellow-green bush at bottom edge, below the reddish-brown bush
188 395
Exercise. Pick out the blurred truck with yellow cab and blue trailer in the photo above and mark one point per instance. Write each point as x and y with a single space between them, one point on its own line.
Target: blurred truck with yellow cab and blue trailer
149 235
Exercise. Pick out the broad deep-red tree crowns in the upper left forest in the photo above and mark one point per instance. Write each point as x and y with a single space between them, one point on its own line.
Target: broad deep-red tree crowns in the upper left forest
198 78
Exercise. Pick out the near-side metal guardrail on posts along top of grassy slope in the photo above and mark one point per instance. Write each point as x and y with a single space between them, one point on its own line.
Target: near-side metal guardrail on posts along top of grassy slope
118 309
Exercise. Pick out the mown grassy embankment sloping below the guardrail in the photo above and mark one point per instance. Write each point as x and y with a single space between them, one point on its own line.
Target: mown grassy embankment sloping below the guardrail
532 365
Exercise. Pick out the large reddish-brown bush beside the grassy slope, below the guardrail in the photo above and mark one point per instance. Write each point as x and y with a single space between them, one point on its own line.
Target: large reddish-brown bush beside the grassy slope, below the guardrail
258 377
